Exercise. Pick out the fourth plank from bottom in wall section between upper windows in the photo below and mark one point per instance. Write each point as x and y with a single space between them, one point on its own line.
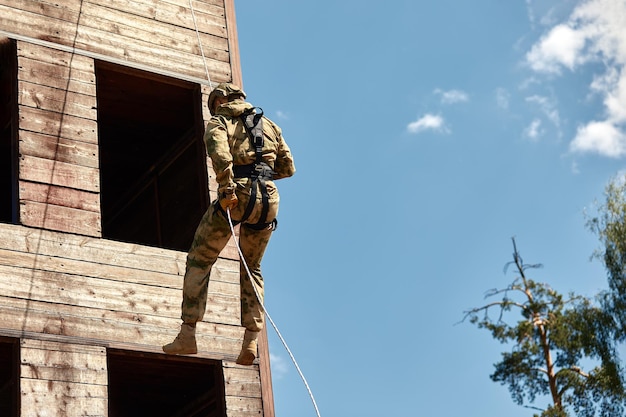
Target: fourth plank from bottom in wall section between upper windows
59 149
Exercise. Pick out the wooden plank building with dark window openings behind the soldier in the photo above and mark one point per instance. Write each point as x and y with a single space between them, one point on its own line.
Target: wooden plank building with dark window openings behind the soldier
103 179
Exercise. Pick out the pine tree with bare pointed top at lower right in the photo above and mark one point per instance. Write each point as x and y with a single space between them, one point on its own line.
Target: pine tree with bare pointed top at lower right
561 348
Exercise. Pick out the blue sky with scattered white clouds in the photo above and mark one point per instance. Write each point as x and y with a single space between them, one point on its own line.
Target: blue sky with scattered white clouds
426 134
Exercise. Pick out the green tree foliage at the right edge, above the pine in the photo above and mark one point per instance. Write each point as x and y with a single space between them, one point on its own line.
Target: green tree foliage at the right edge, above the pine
610 226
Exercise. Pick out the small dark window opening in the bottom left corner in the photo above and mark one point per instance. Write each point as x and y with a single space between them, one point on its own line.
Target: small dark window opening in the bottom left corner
9 377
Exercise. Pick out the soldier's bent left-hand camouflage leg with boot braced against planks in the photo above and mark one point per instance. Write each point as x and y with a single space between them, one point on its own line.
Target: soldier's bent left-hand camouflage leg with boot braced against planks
210 238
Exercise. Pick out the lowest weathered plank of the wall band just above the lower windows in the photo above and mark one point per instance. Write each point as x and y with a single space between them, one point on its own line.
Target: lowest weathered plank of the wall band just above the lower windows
105 326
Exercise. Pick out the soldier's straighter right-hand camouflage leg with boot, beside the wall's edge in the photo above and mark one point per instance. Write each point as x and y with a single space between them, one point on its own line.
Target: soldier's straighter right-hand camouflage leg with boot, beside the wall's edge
253 244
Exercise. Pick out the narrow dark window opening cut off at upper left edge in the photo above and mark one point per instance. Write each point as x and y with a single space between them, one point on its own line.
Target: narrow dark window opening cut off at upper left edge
8 131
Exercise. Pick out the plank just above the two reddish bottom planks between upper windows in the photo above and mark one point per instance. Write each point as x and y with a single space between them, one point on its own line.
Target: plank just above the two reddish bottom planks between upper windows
59 173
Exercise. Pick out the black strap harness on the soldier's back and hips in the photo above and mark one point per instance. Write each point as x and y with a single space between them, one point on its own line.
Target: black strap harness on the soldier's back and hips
259 172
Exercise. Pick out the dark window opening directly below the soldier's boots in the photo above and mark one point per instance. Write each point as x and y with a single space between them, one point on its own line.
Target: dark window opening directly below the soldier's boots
147 384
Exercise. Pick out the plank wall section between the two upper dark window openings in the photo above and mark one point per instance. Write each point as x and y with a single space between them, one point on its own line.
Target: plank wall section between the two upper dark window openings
58 143
